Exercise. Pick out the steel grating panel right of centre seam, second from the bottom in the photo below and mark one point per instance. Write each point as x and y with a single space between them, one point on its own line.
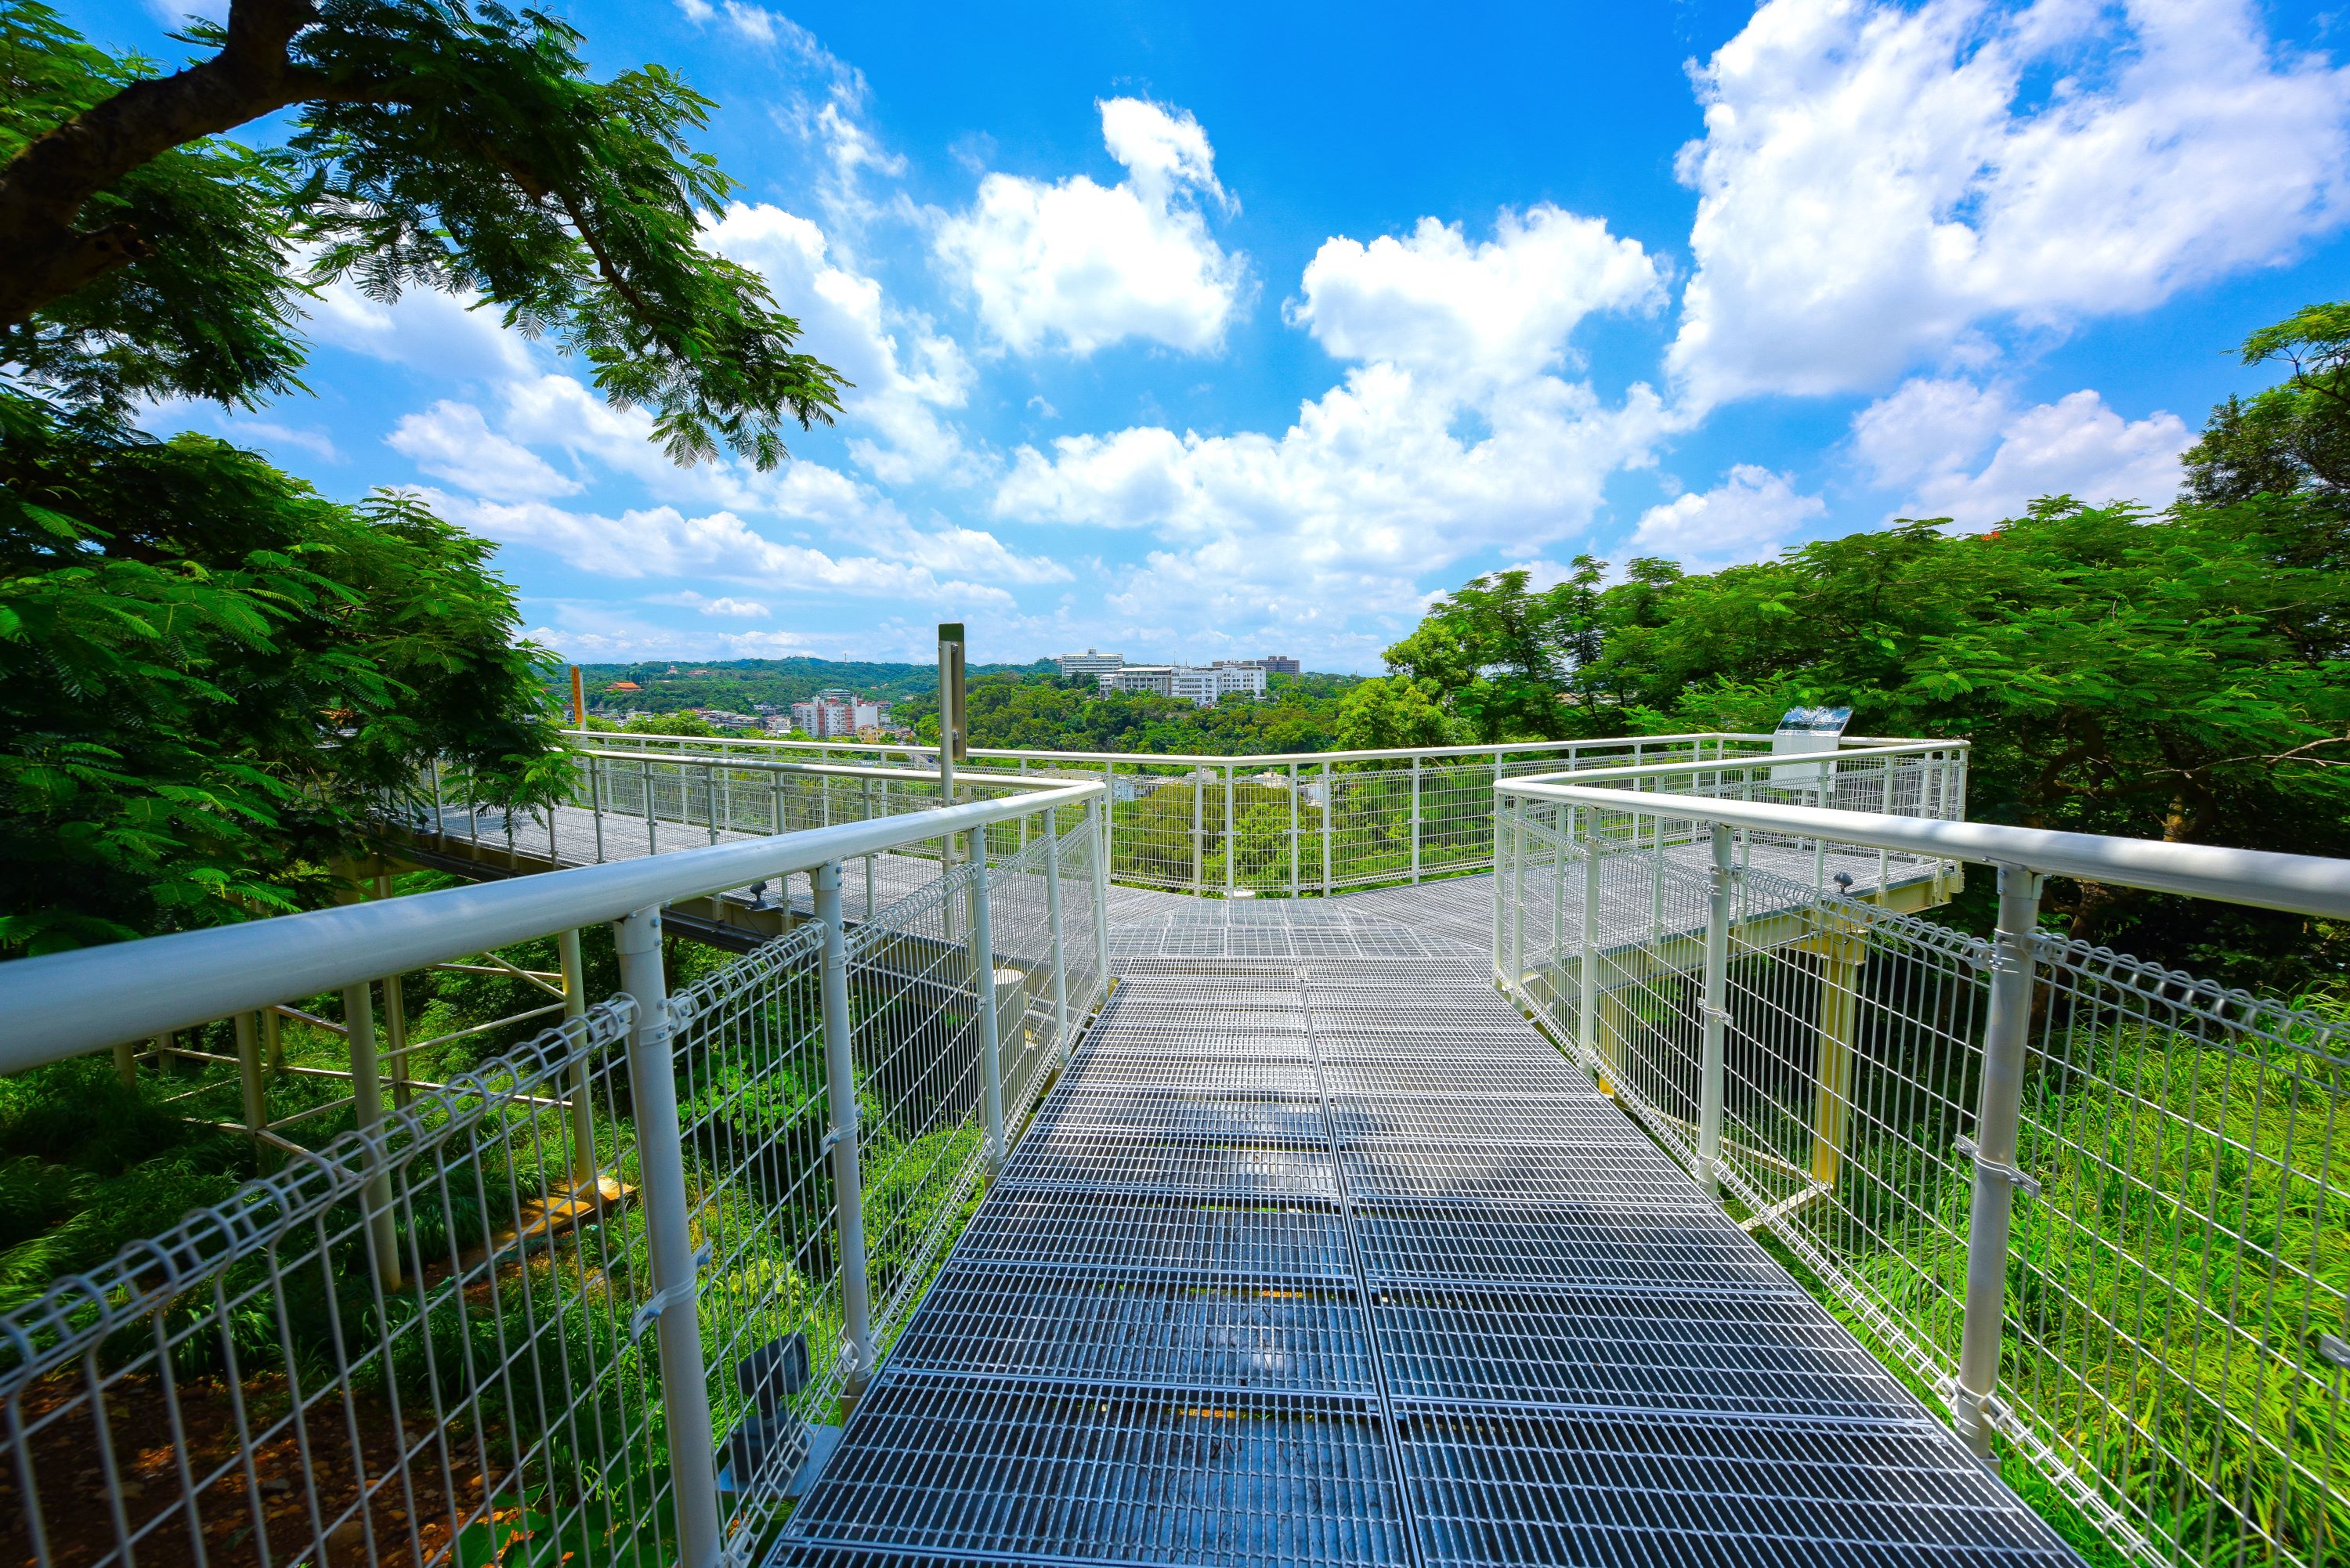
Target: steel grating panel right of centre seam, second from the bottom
1773 1353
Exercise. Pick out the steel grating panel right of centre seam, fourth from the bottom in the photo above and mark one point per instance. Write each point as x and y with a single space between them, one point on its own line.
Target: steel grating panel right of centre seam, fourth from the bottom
1623 1177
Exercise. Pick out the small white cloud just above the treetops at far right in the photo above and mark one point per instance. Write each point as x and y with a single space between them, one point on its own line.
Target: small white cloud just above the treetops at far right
1931 436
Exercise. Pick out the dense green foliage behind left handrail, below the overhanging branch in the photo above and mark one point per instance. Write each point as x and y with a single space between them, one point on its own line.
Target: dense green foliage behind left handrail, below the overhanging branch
210 674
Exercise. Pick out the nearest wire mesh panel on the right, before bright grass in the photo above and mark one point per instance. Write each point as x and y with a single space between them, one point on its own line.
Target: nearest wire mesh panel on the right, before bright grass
2180 1285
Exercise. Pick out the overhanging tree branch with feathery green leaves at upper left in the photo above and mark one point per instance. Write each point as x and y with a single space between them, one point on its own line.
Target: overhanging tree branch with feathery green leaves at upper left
448 147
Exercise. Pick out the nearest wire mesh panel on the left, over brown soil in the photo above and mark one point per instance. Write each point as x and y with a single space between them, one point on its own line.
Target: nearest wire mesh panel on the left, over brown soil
410 1348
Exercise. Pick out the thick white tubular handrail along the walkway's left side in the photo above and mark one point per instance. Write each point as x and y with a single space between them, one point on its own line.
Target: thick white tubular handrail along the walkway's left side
69 1003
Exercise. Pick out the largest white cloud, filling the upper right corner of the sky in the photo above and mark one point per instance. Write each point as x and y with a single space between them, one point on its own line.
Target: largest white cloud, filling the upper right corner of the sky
1881 185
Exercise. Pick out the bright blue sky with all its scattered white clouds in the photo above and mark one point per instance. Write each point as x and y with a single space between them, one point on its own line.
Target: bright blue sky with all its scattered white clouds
1244 330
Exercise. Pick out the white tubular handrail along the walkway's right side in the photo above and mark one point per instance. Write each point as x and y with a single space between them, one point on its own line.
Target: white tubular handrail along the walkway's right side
2257 878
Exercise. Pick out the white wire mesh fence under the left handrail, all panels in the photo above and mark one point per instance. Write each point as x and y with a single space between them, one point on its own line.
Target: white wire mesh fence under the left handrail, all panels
438 1341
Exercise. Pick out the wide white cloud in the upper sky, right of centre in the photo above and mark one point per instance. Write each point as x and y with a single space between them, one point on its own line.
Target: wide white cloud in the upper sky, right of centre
1496 311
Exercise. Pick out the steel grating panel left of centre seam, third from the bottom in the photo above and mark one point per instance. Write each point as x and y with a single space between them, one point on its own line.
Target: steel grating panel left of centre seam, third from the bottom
1221 1240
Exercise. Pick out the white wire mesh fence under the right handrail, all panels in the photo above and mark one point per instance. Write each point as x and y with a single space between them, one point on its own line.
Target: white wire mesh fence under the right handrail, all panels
2173 1296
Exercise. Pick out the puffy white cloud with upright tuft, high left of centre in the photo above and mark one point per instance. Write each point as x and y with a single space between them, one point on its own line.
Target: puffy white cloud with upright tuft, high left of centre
1085 267
